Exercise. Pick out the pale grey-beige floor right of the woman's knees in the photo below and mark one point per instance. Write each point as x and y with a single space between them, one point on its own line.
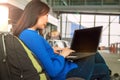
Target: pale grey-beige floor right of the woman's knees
113 60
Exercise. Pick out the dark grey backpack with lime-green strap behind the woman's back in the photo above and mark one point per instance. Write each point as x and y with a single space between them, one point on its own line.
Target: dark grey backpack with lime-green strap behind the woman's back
17 62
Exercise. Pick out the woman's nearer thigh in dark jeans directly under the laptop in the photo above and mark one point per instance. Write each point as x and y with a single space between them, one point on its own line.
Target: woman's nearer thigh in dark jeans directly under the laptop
84 70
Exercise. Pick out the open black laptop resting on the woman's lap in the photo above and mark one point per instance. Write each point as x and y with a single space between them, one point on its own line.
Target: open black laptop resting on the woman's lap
85 42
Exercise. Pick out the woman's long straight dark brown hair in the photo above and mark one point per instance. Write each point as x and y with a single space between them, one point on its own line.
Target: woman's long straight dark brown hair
30 15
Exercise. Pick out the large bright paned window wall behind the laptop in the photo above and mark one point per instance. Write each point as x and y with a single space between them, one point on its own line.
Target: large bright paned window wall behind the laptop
111 26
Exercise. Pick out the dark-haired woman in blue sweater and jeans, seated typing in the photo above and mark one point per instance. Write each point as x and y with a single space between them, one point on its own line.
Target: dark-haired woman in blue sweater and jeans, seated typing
34 19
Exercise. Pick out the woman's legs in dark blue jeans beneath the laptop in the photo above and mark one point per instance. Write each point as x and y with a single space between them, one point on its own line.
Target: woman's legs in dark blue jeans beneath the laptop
90 67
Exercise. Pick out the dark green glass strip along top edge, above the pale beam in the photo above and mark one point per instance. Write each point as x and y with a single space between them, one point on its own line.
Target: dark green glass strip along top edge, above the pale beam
84 2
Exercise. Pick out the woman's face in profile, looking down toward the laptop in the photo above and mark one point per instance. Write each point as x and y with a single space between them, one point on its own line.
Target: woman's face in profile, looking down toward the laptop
42 21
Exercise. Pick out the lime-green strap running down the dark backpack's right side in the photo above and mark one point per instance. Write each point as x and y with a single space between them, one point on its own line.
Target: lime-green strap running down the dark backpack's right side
35 63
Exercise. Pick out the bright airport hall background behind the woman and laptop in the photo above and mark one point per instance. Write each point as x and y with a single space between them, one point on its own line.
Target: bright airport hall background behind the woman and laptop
68 15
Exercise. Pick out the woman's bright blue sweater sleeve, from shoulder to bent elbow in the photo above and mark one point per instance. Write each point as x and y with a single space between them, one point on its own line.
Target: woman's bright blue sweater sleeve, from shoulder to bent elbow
52 63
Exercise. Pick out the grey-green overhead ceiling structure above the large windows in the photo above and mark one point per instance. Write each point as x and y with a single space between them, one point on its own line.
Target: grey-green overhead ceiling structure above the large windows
86 6
